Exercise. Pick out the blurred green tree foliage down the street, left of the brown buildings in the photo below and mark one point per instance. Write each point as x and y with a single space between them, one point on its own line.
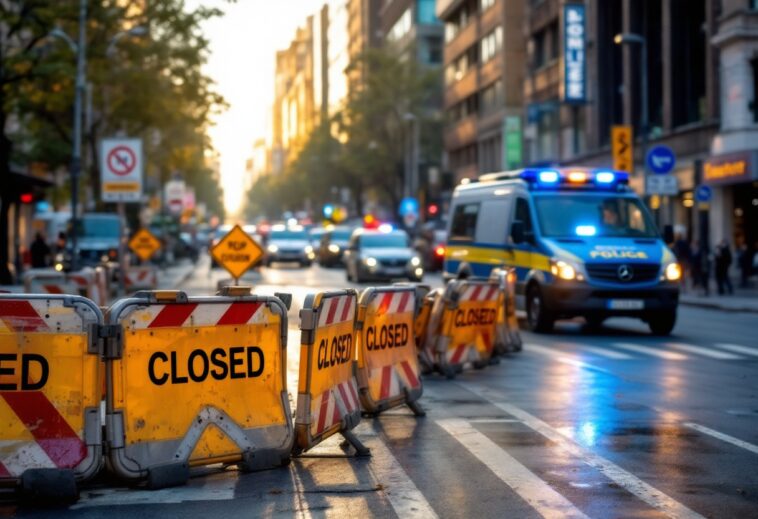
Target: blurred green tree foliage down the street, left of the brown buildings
363 146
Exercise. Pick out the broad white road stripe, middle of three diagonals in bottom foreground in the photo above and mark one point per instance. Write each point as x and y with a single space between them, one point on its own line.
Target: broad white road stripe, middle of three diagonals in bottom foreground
538 494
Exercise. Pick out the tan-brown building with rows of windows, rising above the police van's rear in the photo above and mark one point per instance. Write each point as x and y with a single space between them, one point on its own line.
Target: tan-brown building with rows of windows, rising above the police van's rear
483 81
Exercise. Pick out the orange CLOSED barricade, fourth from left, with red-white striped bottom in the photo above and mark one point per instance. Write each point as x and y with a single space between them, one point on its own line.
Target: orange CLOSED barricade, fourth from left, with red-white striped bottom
388 368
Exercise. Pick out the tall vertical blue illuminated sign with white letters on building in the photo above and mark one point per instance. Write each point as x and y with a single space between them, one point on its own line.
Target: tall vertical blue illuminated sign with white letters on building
574 54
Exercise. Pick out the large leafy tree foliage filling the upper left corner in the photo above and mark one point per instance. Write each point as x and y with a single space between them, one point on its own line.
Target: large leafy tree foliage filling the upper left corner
151 87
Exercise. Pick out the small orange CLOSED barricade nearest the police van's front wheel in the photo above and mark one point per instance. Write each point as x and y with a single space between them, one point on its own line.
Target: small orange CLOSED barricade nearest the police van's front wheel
467 315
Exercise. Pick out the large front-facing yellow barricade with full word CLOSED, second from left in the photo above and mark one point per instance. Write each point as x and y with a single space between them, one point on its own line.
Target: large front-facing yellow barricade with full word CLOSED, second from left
196 381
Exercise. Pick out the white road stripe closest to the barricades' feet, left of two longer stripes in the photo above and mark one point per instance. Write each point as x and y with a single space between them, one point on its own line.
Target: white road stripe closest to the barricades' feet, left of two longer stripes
406 499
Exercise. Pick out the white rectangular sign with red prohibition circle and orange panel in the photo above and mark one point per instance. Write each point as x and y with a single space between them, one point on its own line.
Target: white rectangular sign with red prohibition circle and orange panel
121 170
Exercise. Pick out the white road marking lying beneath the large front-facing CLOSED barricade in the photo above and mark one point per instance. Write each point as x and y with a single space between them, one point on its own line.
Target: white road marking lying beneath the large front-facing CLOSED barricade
218 487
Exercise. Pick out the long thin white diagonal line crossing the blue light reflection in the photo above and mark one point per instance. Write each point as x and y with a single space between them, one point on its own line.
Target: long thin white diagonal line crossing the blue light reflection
647 493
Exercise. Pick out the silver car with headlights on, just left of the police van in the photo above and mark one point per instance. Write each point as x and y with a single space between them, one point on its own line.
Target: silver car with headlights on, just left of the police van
381 255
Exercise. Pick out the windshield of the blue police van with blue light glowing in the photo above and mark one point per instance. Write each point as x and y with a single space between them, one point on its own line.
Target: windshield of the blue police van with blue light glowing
571 216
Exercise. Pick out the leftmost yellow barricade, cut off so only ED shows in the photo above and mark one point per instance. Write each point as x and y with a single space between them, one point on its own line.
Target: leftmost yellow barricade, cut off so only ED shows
50 385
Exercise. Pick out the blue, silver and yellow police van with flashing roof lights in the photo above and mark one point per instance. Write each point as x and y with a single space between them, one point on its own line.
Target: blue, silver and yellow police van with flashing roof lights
581 241
